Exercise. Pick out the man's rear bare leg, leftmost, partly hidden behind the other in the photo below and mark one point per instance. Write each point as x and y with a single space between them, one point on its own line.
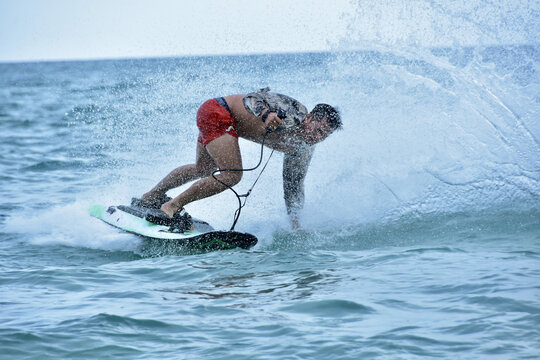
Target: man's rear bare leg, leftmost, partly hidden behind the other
203 167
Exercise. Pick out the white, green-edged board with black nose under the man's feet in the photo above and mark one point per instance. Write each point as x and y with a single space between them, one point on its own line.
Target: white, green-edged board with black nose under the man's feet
201 236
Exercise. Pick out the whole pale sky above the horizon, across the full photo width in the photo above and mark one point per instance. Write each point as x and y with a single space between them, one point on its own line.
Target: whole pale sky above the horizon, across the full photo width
33 30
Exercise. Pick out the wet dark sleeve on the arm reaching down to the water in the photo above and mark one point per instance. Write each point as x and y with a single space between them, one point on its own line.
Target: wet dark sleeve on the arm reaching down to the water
295 166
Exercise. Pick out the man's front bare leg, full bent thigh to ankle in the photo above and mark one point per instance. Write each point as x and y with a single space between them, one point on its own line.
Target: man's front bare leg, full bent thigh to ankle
225 152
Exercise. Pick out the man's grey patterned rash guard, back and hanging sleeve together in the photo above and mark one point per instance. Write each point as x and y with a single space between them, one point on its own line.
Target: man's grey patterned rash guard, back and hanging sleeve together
296 163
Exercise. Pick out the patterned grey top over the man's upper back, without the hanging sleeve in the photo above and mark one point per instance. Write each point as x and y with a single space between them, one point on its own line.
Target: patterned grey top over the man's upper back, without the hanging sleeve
263 99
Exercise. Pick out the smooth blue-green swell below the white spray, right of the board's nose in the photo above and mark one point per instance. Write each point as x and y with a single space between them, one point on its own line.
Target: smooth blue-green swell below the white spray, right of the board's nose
420 232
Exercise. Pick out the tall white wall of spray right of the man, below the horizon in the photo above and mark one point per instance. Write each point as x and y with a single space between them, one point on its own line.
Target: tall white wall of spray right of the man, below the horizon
427 132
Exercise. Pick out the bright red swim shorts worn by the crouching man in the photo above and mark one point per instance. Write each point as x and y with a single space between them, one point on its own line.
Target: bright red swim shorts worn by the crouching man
213 121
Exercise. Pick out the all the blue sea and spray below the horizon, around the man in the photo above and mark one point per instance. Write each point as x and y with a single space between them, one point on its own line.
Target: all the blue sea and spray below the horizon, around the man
421 229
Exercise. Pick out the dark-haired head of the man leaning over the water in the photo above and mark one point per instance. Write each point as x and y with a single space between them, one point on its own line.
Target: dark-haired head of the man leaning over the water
321 122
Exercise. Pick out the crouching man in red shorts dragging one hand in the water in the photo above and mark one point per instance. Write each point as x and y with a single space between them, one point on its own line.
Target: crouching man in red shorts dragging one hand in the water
280 121
